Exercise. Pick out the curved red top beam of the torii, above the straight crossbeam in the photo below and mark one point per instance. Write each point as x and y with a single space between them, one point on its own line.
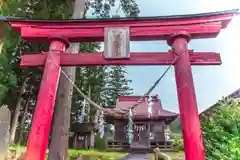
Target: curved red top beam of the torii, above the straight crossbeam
206 25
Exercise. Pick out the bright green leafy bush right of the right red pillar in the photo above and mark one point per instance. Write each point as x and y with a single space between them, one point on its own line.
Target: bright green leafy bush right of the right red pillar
221 132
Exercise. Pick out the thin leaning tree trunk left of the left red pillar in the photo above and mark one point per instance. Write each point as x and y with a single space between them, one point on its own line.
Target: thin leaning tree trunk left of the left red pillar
17 113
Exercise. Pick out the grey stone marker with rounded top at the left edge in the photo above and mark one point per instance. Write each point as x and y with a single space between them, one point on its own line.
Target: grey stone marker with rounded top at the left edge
4 131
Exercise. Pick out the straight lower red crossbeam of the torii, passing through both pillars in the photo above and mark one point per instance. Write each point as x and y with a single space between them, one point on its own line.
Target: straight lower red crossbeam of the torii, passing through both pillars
97 59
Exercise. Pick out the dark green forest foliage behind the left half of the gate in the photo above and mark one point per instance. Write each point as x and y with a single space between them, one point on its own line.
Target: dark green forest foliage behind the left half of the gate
104 86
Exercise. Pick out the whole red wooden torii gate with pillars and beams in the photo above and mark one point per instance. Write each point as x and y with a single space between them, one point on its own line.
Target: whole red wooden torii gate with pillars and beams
176 30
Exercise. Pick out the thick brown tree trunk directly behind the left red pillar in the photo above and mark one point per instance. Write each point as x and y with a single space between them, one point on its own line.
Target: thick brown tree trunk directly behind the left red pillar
58 148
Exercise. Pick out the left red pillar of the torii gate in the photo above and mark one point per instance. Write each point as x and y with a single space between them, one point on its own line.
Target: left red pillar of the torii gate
41 125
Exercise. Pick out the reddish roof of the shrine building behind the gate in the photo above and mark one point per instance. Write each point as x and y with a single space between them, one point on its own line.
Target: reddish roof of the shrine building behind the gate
124 103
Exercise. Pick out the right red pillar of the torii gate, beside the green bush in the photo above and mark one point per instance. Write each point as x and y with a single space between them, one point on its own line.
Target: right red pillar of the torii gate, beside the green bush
193 144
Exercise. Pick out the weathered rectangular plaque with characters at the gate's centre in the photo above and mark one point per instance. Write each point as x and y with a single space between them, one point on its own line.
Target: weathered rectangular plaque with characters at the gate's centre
116 43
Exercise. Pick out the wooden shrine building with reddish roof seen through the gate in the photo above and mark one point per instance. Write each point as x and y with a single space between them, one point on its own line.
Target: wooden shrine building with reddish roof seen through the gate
150 130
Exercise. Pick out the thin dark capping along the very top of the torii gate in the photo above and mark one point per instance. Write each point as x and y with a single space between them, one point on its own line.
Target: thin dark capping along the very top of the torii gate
174 17
